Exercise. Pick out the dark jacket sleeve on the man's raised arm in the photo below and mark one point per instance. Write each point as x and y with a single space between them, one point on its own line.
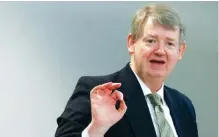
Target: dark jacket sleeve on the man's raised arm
77 113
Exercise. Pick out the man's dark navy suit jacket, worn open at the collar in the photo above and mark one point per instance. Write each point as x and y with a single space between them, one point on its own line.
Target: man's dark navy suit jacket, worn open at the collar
137 121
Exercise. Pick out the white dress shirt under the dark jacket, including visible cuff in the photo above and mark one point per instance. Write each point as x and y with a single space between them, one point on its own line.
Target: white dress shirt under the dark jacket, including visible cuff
166 110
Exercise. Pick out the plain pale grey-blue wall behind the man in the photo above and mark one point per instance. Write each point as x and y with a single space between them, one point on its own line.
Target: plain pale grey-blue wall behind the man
46 46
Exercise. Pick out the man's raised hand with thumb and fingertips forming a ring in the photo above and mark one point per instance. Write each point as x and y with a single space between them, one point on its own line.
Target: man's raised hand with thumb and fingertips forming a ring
104 112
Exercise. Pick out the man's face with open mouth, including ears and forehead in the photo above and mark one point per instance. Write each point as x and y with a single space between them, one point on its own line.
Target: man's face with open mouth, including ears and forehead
156 52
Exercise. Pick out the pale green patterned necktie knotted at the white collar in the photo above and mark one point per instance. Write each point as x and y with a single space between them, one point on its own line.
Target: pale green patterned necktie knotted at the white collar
164 126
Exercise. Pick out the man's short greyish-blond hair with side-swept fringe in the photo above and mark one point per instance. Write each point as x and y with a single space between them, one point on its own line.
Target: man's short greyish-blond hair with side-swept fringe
162 15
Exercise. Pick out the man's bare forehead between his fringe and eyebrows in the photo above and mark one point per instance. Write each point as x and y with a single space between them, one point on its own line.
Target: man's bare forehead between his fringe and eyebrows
153 28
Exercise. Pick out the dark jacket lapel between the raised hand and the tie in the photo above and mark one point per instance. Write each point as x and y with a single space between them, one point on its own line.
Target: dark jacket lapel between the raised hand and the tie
137 113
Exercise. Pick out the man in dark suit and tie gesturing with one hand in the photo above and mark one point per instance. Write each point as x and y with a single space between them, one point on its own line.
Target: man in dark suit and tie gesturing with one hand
134 102
